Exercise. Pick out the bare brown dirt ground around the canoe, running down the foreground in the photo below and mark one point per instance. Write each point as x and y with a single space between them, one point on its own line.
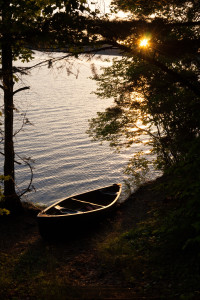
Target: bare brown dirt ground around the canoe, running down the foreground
78 259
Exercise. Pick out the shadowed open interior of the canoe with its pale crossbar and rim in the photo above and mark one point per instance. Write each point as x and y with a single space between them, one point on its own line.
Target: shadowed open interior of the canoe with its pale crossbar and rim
85 202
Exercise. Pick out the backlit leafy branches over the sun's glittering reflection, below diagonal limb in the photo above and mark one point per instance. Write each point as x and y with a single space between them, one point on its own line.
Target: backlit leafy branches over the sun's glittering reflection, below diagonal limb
163 108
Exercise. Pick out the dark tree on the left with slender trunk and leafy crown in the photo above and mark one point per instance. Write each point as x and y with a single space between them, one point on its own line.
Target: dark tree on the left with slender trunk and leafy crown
27 24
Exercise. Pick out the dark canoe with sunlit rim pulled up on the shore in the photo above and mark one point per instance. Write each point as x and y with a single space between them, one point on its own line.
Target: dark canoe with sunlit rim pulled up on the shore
78 211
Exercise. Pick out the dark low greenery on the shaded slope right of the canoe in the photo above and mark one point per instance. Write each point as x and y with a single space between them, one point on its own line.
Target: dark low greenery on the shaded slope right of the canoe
148 256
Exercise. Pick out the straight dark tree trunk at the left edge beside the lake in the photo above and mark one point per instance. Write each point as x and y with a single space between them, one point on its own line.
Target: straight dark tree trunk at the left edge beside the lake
12 201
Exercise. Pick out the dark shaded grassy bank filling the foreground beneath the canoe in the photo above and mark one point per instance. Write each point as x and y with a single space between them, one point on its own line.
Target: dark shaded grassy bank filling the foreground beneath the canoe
130 255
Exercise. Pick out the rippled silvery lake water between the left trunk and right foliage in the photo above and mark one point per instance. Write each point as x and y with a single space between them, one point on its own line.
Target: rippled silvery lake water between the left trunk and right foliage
66 161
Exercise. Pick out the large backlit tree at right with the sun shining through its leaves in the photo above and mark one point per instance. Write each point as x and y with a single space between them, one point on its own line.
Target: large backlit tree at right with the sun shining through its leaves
155 85
